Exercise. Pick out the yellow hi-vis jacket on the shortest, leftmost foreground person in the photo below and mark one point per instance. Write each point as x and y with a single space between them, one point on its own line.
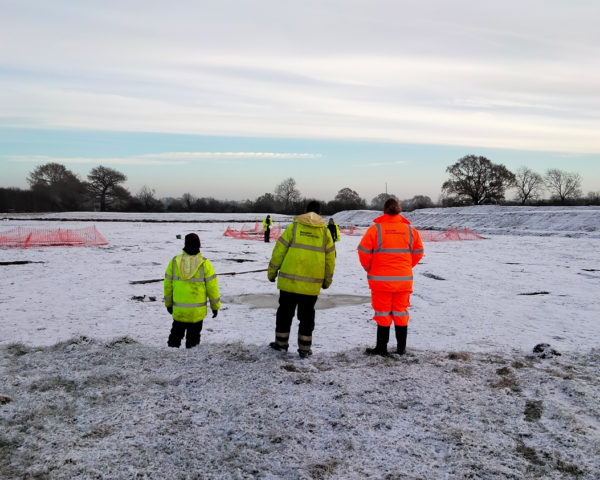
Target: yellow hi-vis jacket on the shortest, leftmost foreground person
189 280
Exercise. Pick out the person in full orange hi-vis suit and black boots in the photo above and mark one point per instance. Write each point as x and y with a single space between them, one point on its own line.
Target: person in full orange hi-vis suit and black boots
388 252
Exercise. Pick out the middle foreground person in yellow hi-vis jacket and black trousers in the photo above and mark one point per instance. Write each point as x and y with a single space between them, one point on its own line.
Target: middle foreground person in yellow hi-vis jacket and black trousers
304 256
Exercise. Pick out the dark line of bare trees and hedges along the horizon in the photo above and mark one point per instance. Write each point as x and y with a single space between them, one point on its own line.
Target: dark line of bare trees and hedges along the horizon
473 180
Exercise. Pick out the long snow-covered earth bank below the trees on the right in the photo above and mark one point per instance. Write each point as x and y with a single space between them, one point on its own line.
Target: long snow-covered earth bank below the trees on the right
495 220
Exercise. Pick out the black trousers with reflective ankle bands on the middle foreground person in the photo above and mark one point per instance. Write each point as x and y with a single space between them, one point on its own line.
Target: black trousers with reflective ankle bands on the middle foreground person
288 302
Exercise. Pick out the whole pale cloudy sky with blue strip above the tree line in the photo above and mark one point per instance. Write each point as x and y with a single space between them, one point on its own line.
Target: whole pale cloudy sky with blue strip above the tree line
226 99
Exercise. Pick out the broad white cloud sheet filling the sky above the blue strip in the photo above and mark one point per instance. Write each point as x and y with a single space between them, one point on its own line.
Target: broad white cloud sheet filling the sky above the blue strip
407 72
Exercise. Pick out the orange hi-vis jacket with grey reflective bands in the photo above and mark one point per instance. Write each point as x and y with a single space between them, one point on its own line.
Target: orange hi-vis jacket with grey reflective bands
388 252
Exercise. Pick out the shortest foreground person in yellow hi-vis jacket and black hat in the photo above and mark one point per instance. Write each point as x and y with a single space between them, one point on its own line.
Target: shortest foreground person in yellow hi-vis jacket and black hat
190 284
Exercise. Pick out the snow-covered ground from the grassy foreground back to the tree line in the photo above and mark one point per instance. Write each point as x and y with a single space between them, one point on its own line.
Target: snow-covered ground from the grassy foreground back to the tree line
89 389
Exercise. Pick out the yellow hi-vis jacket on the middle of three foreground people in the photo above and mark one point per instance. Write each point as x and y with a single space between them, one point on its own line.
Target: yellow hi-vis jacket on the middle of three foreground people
304 255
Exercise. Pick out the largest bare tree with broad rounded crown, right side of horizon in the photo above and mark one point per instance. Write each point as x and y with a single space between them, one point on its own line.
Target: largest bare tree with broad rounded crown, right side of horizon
477 180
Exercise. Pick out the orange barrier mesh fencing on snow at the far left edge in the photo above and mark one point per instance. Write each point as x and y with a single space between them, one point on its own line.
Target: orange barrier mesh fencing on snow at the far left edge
37 237
